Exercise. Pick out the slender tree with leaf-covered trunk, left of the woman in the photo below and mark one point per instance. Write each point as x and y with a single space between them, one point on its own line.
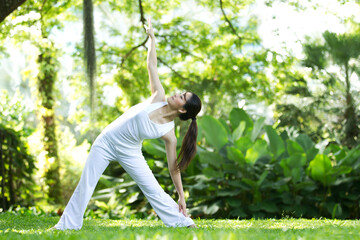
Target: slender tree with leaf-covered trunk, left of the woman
45 20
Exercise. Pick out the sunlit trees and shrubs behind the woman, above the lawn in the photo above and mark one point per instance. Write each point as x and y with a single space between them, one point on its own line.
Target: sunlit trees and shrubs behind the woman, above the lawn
279 80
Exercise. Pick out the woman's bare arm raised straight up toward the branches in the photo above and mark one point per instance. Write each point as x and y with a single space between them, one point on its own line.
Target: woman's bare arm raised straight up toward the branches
155 84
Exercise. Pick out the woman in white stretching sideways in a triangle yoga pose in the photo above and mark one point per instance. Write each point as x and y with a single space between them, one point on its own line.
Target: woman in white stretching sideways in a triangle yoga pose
121 141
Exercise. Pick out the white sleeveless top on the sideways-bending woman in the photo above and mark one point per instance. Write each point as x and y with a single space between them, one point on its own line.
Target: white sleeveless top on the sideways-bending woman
129 130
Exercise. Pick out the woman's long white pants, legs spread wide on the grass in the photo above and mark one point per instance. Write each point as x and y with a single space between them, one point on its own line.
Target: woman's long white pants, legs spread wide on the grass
101 153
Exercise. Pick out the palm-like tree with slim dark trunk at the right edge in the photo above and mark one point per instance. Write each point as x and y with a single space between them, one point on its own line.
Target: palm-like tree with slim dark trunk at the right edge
343 51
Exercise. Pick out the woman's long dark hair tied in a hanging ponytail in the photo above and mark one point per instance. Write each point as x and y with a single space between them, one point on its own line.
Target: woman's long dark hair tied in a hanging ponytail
188 147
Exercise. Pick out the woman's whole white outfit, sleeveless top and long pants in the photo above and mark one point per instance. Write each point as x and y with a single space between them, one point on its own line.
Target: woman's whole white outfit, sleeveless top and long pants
121 141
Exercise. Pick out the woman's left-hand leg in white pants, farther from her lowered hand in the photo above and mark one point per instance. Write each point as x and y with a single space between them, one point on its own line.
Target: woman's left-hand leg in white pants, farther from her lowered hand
96 163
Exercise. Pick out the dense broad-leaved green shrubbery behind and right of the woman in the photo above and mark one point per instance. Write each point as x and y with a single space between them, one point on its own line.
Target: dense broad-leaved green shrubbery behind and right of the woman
254 177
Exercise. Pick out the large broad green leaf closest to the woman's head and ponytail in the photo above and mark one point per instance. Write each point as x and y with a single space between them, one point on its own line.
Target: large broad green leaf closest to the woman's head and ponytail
214 131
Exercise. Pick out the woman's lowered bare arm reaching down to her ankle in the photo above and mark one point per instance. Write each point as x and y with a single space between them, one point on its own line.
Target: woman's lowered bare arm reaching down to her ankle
170 145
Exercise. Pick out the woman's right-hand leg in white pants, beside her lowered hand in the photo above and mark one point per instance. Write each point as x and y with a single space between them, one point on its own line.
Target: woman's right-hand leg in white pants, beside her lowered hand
165 207
